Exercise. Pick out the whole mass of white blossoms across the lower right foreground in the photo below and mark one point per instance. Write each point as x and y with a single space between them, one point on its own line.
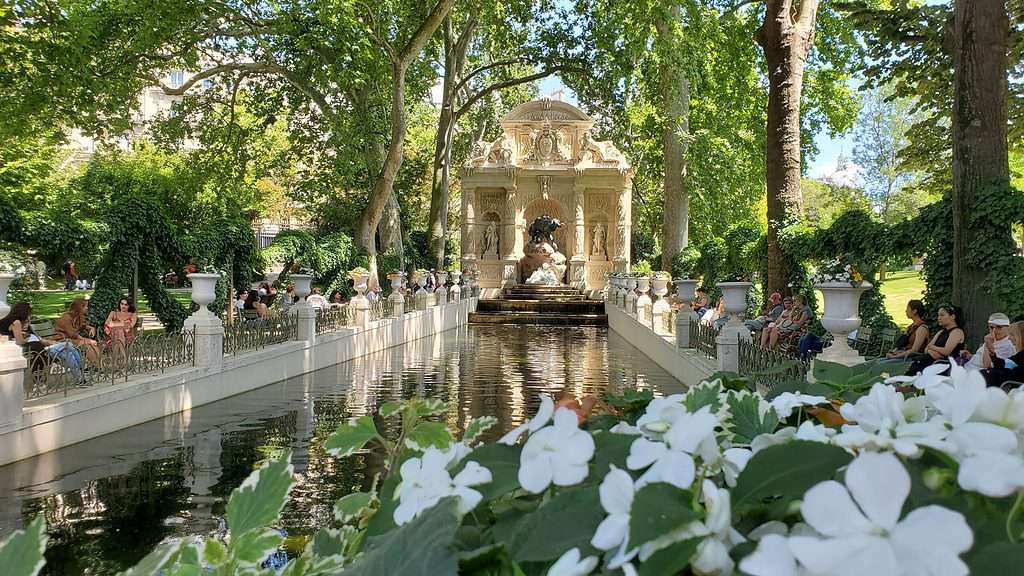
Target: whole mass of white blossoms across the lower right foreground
857 527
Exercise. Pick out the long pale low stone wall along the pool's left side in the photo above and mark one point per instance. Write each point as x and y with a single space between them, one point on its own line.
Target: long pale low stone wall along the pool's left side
50 424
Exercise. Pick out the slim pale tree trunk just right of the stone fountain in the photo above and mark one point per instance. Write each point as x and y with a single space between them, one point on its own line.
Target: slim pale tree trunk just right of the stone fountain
676 98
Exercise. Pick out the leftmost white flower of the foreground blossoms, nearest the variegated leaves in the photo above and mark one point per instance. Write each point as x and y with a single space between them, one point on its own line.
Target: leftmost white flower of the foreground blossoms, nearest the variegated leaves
425 481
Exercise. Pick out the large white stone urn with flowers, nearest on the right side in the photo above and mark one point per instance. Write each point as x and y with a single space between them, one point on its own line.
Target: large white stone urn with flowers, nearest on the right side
841 285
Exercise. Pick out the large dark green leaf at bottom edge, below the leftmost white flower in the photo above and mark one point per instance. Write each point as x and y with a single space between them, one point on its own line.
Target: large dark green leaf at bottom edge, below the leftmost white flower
422 548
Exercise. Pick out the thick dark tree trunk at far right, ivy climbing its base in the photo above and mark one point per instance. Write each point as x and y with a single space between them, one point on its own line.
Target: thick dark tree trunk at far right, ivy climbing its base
980 156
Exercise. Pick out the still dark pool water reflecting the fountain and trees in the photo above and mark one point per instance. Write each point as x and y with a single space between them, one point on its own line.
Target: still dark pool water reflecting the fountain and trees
110 501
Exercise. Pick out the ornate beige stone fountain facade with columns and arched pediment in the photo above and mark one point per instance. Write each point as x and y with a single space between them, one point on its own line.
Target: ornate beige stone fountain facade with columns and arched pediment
546 163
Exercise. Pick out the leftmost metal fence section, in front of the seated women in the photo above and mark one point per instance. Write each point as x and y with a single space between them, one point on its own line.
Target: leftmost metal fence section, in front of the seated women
64 366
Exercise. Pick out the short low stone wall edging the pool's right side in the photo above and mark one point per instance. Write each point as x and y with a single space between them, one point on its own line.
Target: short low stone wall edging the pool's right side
690 366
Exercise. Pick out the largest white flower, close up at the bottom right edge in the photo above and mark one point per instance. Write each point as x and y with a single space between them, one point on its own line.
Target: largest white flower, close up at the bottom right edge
868 538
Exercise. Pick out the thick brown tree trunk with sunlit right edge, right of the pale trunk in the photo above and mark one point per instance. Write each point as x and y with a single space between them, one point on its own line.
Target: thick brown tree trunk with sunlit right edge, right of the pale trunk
786 36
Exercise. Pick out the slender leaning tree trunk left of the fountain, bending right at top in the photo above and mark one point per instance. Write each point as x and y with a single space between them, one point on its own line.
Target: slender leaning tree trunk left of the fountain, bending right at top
385 187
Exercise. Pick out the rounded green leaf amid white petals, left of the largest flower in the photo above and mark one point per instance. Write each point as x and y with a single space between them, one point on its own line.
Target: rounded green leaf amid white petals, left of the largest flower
658 510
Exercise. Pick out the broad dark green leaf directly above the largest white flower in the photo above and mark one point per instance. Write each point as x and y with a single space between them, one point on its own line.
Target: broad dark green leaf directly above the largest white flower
787 471
